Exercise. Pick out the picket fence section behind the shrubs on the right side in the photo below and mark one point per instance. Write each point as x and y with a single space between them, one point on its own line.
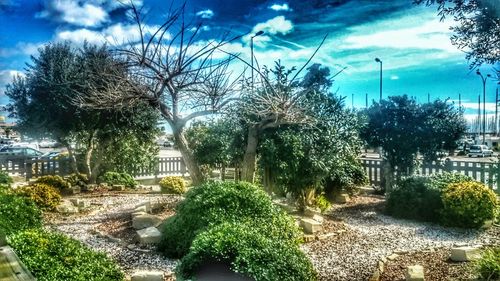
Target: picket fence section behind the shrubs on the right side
480 171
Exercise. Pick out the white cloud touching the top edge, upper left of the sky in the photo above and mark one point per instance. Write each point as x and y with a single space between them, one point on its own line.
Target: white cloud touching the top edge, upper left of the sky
74 12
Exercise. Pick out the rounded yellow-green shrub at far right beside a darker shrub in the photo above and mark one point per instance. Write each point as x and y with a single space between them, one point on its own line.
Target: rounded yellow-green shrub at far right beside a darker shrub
468 204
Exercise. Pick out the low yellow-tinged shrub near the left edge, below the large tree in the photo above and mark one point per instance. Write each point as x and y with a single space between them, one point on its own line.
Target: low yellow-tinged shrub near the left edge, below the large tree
45 196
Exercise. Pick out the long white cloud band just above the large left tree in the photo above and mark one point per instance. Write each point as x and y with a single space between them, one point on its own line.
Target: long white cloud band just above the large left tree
116 34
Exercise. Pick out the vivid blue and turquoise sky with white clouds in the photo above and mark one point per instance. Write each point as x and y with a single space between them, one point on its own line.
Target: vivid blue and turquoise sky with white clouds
413 44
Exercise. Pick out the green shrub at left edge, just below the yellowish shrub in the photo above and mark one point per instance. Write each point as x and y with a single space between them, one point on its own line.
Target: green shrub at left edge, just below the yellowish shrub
18 213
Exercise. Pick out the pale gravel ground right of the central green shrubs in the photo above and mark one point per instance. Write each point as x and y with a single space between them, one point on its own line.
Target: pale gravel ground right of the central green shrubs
353 254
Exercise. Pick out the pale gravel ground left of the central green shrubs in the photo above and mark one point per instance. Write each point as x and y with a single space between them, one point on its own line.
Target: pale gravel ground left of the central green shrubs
110 214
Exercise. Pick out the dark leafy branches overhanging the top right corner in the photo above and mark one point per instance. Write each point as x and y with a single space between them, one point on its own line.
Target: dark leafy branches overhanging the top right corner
478 29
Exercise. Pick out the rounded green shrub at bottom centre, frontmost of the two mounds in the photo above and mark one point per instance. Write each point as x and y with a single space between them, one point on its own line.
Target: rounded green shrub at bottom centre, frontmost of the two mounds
248 251
